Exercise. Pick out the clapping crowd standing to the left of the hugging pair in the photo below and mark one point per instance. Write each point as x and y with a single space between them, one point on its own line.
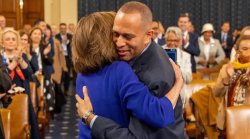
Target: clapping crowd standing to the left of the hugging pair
34 51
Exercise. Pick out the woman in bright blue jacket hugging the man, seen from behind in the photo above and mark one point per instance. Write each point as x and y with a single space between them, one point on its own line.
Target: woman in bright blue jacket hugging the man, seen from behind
114 89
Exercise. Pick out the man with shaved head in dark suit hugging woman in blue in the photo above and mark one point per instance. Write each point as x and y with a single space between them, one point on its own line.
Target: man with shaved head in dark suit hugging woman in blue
132 35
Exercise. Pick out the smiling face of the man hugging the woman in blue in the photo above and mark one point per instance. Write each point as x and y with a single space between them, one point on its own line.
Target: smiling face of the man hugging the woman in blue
130 35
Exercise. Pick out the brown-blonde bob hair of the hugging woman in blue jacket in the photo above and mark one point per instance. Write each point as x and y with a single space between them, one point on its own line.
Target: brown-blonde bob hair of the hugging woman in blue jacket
92 46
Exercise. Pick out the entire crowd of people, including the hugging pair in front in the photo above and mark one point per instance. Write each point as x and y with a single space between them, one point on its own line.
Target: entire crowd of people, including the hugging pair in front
126 84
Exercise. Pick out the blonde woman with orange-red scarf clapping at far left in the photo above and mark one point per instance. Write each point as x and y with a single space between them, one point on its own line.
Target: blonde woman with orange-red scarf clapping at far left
20 71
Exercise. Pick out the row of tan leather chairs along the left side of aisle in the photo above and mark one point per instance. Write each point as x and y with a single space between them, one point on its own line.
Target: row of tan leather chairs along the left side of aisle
15 118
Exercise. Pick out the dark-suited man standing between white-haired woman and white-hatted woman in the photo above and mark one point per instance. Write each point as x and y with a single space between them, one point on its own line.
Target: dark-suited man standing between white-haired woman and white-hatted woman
190 40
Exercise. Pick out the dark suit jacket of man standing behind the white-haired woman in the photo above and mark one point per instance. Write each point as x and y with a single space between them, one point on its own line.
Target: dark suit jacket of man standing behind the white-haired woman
193 49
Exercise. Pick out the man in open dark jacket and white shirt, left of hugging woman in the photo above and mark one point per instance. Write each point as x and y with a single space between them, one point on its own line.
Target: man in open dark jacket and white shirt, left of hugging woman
65 40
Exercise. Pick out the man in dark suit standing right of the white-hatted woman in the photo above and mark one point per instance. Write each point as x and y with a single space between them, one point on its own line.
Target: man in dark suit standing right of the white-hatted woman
225 38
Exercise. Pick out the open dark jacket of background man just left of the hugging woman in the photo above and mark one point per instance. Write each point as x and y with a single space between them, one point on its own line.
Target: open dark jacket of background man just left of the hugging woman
69 57
